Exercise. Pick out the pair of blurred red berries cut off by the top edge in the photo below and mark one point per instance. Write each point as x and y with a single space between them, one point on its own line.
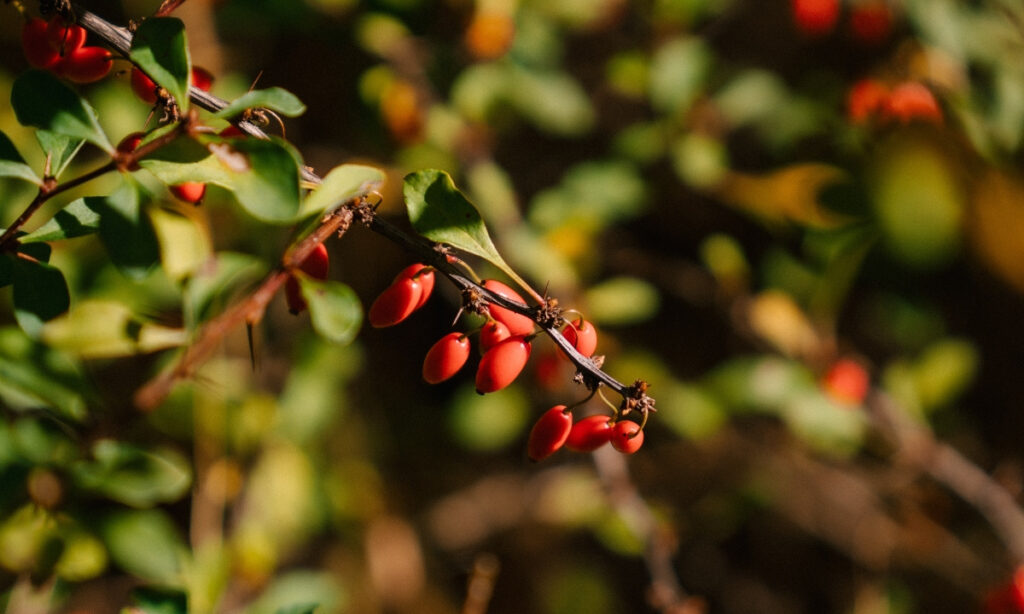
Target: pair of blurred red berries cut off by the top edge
871 21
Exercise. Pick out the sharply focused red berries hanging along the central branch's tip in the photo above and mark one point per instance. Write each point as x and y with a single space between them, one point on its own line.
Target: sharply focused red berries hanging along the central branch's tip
506 341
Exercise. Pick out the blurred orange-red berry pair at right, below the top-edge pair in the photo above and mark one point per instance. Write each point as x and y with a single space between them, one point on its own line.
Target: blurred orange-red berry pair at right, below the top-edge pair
870 100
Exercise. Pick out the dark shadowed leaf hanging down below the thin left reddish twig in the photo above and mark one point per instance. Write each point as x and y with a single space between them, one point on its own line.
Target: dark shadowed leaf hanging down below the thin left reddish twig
125 232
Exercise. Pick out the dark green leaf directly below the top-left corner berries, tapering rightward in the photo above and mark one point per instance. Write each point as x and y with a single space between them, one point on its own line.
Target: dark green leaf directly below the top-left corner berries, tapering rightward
42 101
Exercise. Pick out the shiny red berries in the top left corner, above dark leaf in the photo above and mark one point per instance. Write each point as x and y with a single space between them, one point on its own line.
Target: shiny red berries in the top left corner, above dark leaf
60 48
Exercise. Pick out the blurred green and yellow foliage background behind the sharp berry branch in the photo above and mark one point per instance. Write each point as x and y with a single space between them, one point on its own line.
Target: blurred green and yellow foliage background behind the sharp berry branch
695 178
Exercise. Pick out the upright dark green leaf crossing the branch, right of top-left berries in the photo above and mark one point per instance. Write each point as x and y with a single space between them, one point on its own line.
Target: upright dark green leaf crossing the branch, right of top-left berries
161 51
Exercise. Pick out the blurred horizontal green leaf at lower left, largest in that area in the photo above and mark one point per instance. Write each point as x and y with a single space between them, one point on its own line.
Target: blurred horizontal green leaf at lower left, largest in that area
134 476
